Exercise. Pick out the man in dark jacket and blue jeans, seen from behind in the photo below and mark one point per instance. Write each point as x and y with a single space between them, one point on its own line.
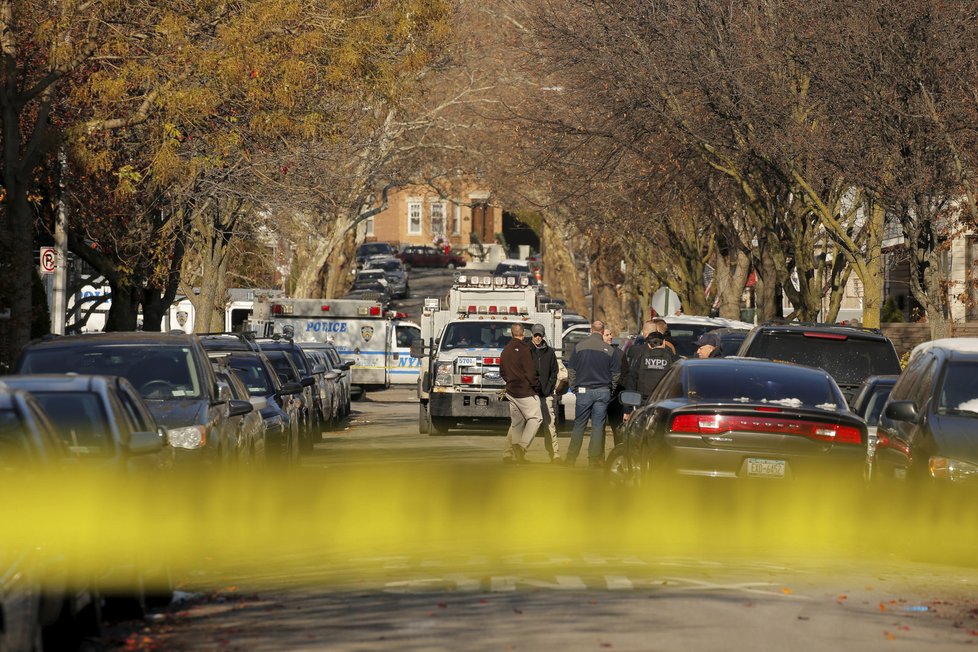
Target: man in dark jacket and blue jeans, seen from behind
594 370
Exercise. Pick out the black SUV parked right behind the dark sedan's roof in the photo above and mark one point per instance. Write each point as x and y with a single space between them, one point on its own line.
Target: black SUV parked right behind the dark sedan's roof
850 355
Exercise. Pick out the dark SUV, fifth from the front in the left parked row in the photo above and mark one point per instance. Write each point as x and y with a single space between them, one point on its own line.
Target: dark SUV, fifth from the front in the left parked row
280 407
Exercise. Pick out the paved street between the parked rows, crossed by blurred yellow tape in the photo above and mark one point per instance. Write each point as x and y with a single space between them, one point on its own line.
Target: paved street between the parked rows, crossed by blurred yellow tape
432 543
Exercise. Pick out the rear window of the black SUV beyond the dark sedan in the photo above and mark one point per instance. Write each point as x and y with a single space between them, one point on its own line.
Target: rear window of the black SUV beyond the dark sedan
849 361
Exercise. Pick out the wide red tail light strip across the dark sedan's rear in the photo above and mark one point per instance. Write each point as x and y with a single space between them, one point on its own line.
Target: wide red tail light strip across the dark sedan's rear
712 424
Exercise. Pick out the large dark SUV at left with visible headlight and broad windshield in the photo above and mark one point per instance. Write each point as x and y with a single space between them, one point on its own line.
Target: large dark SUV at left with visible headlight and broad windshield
172 374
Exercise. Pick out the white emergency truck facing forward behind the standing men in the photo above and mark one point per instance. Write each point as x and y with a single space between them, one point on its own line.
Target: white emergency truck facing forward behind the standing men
461 343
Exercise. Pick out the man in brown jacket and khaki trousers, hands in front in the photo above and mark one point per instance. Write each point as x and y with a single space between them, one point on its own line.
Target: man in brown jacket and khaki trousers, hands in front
522 390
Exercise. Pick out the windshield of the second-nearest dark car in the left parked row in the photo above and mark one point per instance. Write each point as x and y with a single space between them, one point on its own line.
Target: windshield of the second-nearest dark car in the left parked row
79 419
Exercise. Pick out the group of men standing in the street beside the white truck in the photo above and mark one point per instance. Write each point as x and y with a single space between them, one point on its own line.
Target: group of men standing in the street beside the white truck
596 372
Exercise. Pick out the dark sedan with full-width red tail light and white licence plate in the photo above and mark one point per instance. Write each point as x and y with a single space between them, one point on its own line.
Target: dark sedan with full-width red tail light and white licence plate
737 418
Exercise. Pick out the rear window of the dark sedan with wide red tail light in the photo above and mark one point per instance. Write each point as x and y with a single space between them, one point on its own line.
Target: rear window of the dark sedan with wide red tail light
789 386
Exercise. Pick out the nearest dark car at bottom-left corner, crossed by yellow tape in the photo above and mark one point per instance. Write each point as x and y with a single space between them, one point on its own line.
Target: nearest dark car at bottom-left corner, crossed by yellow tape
41 607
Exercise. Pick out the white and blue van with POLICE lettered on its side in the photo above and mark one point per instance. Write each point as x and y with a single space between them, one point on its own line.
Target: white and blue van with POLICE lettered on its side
362 332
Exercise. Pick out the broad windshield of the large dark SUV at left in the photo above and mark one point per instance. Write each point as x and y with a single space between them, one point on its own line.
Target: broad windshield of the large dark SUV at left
158 371
